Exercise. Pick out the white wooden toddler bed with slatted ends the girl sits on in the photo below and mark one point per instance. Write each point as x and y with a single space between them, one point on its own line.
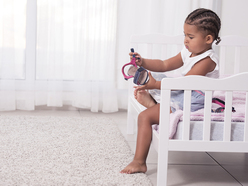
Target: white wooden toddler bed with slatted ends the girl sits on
206 135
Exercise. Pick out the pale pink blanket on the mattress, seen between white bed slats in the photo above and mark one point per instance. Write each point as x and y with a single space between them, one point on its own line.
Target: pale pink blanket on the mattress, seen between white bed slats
238 116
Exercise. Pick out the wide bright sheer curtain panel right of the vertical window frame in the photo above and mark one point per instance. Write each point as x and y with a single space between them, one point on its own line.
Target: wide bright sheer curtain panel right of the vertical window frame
75 53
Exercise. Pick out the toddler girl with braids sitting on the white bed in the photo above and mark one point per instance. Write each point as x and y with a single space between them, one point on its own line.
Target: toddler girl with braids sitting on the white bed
201 29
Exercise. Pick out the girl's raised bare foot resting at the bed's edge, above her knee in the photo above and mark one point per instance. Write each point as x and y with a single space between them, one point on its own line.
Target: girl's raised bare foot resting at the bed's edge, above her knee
144 98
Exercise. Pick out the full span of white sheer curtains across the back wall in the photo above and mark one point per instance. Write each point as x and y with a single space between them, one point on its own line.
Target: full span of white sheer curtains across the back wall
70 52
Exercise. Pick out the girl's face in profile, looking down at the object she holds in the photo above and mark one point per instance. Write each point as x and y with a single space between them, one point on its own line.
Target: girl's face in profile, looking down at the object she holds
195 41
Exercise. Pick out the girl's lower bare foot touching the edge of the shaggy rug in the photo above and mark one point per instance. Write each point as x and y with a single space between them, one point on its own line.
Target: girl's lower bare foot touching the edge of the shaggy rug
135 167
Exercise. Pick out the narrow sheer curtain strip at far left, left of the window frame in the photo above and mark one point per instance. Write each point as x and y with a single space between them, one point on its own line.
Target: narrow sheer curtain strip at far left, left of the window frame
12 50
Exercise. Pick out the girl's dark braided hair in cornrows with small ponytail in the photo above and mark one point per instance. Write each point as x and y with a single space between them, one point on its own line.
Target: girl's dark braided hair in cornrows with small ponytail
205 20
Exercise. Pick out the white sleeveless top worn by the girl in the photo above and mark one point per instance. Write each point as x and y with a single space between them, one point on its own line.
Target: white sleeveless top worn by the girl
189 62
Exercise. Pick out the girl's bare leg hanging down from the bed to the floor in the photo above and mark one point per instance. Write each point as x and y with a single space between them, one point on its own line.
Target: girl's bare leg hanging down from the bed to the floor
146 119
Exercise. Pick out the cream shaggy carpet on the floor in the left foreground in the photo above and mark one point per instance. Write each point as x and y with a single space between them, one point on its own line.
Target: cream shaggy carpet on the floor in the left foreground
37 150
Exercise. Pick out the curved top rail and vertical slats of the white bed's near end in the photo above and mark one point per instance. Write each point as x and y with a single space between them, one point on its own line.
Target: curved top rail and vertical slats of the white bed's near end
234 83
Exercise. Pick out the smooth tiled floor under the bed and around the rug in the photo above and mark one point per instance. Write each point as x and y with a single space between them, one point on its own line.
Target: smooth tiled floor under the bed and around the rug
185 168
